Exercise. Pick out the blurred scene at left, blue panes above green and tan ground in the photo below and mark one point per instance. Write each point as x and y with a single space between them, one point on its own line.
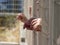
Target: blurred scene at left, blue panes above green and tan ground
8 23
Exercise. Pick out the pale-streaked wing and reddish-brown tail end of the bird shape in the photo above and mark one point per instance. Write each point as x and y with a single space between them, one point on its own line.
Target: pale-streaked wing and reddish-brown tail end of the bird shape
36 24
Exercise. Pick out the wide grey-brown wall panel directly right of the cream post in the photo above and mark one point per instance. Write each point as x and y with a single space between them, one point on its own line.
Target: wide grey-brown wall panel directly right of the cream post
41 10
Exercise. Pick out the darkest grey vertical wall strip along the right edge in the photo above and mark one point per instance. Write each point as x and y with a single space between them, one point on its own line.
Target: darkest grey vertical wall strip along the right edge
56 21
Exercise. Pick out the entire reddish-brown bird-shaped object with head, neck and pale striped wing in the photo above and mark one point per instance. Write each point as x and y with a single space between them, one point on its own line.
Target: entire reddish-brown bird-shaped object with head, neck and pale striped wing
35 23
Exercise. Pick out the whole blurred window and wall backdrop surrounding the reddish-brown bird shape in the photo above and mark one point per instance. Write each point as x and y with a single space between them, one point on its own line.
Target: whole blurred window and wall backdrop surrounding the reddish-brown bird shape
11 30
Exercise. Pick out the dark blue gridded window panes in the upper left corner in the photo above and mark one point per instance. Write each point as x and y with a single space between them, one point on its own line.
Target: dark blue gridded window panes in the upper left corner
11 6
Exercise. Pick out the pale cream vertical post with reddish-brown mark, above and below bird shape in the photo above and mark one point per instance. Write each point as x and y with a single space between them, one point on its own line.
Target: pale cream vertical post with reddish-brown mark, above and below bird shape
29 34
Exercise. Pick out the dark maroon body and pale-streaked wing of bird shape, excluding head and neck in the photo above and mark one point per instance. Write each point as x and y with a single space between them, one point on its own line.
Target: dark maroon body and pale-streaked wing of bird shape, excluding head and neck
33 24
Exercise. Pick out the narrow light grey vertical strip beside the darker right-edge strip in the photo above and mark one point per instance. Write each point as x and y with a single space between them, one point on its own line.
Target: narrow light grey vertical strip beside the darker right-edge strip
51 21
